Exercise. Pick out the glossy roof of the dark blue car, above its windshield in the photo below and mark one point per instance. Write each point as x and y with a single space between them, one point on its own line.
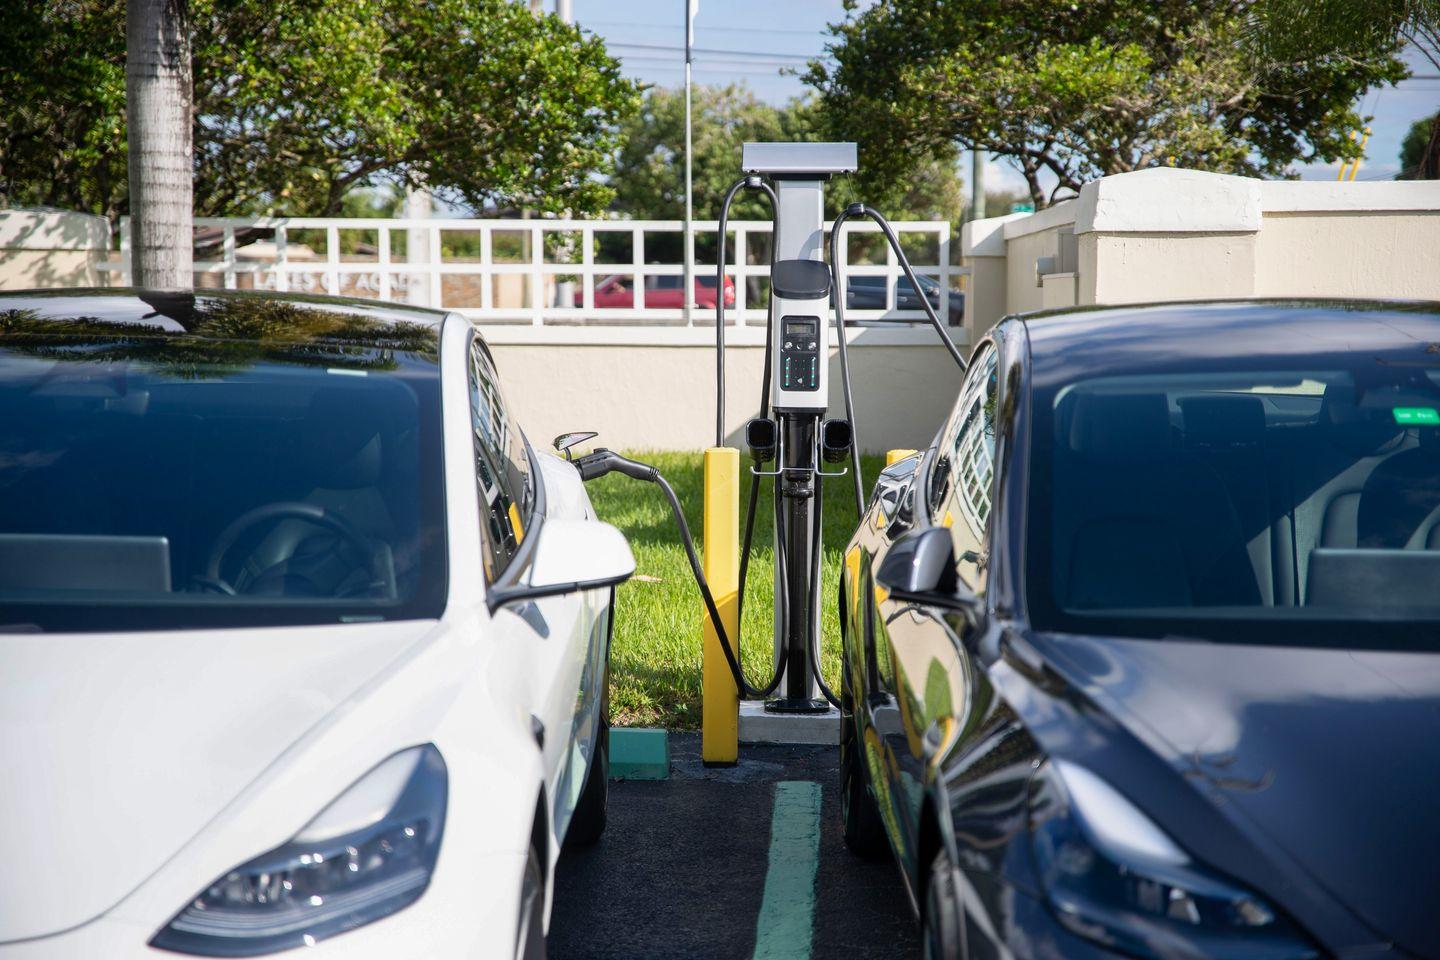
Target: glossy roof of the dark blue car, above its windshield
1098 338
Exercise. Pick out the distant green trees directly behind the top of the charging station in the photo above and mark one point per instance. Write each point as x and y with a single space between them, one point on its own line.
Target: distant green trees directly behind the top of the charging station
650 179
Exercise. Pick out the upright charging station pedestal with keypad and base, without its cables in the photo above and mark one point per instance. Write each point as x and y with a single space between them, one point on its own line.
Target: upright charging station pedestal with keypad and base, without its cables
800 385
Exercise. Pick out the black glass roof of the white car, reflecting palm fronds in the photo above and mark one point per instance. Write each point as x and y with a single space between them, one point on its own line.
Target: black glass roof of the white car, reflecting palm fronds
185 313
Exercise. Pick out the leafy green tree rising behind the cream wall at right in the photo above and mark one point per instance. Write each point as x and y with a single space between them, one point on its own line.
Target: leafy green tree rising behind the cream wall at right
1081 91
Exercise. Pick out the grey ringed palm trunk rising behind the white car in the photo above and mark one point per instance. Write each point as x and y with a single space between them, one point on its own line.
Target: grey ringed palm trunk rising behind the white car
162 159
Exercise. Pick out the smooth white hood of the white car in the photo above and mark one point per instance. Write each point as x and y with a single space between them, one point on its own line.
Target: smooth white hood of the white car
119 749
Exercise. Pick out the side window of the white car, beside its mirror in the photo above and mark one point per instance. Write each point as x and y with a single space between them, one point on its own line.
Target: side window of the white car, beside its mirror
502 466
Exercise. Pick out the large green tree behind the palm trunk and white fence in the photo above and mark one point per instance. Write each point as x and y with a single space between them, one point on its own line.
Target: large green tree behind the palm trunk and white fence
297 103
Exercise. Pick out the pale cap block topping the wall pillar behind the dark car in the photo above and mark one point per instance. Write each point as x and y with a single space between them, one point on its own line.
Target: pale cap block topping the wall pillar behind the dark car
1170 201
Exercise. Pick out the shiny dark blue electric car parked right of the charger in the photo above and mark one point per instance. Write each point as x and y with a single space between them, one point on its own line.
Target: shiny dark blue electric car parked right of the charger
1143 657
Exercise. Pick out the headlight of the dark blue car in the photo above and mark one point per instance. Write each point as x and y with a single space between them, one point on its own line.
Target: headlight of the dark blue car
1112 876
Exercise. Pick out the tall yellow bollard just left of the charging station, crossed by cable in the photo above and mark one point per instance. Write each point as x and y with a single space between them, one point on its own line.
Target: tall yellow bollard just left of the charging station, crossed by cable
721 699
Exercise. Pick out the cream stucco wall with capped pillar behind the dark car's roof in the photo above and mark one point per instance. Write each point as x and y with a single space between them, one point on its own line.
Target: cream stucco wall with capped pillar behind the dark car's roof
1167 235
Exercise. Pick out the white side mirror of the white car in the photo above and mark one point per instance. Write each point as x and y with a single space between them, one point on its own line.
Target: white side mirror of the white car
571 556
